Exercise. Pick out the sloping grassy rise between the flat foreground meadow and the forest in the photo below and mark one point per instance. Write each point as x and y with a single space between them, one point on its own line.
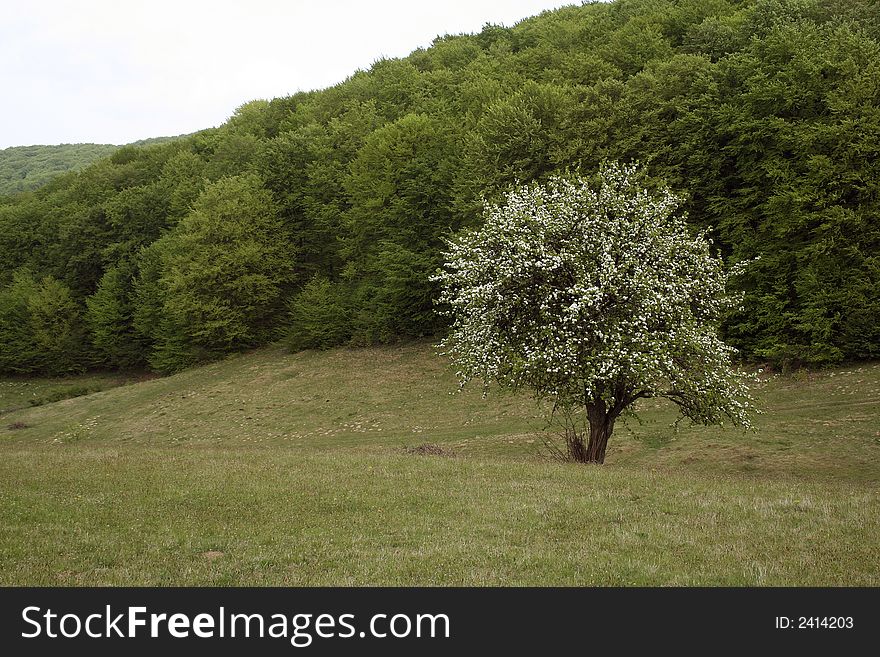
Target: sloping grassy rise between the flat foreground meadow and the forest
817 426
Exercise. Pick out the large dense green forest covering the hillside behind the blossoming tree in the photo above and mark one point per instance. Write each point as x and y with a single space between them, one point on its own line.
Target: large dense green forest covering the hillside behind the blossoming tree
319 217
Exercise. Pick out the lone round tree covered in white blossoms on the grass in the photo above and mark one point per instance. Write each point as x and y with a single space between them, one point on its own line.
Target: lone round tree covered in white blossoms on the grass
593 295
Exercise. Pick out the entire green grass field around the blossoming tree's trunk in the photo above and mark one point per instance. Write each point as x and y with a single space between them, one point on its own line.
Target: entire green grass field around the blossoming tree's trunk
278 469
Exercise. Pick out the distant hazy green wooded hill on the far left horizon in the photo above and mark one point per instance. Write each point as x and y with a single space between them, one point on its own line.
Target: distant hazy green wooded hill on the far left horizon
25 168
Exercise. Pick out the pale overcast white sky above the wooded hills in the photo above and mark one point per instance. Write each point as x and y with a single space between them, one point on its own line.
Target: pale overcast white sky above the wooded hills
115 71
